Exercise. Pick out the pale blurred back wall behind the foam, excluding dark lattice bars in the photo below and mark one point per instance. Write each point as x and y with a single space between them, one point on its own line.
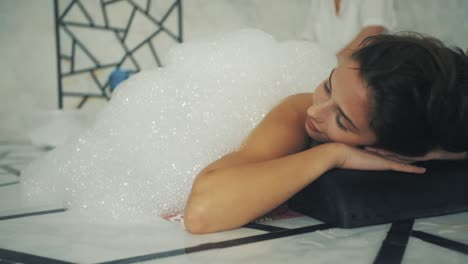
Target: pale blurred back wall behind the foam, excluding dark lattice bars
28 65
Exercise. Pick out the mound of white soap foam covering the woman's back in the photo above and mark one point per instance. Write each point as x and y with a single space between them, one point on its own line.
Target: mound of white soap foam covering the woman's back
163 126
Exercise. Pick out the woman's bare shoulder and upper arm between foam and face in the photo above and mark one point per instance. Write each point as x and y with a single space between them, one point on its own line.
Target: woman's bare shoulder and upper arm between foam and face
279 134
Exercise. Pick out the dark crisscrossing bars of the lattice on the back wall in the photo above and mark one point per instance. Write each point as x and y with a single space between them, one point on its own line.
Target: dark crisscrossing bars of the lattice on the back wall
120 34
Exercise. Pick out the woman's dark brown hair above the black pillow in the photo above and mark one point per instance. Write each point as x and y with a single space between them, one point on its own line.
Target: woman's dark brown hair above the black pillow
419 92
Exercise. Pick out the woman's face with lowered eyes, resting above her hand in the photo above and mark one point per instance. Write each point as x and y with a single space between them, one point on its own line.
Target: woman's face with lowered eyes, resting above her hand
340 109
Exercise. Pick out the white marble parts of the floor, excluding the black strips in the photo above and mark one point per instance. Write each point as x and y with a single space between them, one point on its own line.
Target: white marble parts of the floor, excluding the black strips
67 237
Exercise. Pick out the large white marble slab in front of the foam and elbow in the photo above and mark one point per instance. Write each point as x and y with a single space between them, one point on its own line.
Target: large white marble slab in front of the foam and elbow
65 237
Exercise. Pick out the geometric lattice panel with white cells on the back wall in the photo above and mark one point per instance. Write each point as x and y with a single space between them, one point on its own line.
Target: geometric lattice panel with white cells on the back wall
95 37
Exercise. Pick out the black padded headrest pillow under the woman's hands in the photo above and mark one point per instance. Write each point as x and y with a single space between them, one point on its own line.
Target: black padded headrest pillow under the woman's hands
351 198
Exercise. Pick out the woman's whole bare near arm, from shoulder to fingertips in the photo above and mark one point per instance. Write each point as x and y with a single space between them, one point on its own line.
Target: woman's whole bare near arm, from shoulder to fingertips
273 165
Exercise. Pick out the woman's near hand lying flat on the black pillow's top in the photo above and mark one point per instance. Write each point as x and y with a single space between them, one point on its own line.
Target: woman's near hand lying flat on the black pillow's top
348 157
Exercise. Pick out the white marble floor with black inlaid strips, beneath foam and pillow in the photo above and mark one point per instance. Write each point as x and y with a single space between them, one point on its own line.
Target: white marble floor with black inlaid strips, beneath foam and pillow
52 234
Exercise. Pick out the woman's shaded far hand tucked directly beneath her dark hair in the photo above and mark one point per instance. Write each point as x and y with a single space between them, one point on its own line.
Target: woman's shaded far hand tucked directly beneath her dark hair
436 154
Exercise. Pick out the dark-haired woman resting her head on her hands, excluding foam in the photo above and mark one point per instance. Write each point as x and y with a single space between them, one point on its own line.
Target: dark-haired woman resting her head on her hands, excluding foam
404 94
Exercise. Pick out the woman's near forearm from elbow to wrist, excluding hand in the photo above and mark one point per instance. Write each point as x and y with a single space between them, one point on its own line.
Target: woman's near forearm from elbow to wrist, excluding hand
231 197
